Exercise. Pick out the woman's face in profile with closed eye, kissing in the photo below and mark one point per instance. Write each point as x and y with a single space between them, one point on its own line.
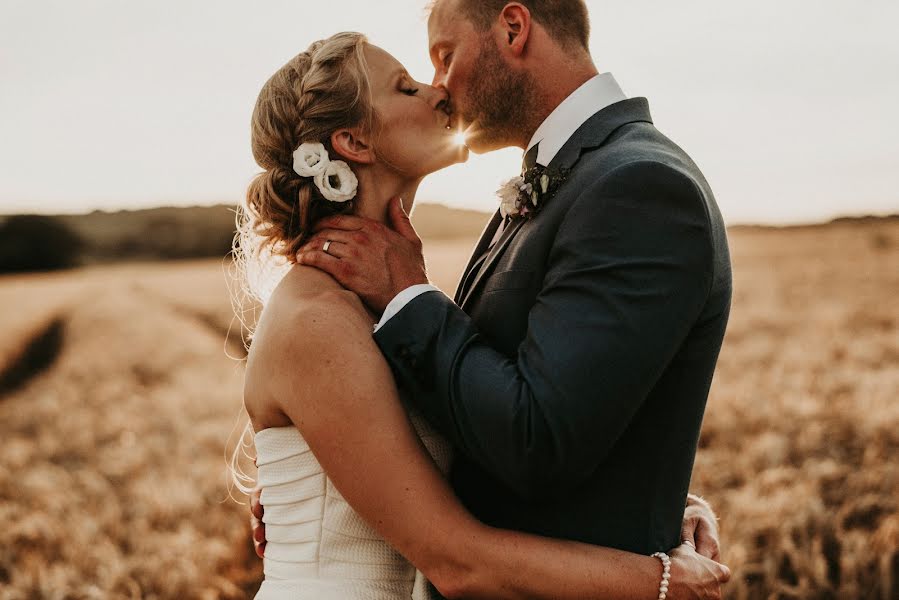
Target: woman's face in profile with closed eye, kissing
412 134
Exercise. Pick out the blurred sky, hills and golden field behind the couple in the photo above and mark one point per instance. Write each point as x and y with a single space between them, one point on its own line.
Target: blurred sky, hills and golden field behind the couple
124 150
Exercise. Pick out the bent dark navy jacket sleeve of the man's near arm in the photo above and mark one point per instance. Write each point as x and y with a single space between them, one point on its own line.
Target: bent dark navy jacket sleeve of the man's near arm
628 275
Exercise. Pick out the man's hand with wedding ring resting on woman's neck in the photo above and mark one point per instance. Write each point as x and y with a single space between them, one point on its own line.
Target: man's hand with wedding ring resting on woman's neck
369 258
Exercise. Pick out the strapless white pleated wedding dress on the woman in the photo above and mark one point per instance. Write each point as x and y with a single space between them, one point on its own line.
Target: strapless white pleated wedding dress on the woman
318 547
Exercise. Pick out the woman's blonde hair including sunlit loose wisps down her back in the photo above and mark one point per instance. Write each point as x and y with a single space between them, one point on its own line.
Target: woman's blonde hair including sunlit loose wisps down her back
319 91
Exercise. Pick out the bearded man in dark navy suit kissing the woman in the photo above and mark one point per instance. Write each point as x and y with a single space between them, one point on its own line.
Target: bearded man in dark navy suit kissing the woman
572 370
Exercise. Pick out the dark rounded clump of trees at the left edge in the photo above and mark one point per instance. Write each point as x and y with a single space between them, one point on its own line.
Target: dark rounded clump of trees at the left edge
37 243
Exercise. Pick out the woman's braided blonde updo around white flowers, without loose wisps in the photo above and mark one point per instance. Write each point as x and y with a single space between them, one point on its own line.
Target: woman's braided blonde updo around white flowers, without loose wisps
317 92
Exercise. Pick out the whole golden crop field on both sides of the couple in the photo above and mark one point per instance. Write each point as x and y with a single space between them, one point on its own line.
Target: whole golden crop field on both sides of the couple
113 480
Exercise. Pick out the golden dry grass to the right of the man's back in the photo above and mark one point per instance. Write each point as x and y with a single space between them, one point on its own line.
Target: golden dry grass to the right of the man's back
800 445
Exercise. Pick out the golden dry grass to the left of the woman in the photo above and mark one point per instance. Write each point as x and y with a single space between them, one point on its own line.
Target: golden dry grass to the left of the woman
112 483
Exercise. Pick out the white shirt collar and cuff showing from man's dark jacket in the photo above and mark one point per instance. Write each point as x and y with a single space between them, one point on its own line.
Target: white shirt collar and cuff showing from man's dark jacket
594 95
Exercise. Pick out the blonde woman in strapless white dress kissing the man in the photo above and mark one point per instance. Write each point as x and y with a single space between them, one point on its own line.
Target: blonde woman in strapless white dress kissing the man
356 503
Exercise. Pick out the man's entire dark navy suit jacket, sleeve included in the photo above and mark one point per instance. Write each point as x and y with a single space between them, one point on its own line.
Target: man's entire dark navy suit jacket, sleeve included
572 372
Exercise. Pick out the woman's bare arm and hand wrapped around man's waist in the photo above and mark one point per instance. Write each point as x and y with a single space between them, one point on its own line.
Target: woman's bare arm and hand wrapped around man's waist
338 390
